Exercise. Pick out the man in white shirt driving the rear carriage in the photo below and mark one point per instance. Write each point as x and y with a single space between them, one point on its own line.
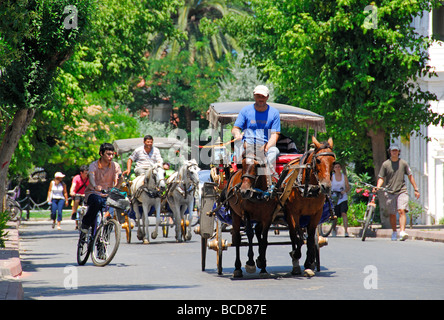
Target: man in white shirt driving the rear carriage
144 156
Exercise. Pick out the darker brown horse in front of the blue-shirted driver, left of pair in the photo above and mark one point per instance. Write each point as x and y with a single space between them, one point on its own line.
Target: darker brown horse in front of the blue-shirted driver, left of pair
245 195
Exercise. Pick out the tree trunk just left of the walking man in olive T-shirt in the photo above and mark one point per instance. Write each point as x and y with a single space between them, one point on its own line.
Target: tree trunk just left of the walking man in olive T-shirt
379 156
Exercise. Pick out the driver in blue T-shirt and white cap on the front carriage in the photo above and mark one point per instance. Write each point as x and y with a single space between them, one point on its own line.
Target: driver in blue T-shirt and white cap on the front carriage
261 125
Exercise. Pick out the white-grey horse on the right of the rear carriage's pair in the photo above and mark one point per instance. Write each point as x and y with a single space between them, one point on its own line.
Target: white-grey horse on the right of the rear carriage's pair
180 196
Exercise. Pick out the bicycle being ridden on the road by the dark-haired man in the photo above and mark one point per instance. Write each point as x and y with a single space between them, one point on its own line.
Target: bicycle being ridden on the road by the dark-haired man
100 242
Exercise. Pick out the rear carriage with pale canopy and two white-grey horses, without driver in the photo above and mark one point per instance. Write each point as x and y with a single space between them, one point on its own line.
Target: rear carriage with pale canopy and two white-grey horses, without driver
170 201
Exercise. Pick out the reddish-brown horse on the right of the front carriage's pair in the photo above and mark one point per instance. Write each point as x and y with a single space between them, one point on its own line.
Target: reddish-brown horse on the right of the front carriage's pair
307 198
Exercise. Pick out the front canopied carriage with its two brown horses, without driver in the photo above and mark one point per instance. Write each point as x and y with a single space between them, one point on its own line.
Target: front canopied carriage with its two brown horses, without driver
240 198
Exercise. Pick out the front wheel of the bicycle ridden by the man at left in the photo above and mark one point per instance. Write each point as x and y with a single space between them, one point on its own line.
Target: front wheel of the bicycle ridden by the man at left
106 242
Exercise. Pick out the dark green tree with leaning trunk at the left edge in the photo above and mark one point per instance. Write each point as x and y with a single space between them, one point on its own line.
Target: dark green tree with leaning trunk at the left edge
37 37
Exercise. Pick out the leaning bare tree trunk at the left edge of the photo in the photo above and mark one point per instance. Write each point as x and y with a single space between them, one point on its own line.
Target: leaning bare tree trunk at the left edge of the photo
13 133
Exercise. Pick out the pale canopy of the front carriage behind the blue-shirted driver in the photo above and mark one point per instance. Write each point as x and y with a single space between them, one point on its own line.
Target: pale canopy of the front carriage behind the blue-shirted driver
227 112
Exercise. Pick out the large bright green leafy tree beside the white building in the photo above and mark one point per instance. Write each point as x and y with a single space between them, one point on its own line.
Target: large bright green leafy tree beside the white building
357 67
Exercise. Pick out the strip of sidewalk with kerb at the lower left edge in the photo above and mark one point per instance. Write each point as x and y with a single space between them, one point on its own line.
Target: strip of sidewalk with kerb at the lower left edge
10 266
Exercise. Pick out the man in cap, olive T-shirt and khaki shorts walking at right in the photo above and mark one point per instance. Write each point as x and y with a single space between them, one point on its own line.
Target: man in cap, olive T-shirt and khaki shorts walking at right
392 172
